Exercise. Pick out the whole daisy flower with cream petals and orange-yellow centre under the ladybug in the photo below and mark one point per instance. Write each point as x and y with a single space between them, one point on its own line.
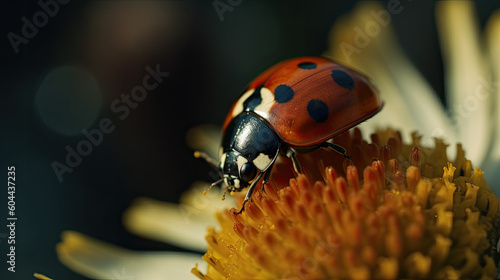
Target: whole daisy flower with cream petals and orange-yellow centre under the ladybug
414 212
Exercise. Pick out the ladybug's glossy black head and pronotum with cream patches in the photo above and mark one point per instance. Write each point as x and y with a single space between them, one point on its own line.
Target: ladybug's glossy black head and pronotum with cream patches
249 147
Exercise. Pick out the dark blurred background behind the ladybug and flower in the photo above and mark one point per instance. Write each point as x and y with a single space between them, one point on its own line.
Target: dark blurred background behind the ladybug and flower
66 77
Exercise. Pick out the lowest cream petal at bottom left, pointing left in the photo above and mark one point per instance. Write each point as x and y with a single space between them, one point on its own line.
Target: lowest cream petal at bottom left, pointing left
99 260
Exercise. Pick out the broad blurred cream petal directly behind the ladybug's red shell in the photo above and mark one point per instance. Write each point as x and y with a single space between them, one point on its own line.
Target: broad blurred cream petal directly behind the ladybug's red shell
410 102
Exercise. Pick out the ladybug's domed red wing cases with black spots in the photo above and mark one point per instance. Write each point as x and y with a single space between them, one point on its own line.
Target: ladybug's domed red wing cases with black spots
288 88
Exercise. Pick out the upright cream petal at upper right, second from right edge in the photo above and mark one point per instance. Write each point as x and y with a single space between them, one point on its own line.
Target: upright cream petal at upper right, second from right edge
465 70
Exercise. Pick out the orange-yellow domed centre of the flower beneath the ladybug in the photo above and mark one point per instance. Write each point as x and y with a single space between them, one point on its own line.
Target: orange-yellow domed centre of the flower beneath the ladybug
392 211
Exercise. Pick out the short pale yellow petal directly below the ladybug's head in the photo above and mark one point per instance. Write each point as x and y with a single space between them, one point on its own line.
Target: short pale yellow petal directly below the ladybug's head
183 224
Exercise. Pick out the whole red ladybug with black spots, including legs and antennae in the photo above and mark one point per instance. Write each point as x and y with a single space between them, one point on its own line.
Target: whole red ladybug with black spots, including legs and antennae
293 107
